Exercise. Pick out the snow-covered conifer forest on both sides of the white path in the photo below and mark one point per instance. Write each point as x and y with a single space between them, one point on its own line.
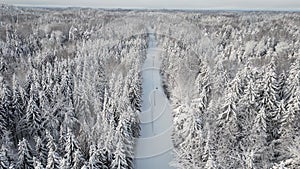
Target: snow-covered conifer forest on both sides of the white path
70 87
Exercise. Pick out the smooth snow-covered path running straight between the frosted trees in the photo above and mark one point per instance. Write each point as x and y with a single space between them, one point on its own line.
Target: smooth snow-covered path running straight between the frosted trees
154 147
